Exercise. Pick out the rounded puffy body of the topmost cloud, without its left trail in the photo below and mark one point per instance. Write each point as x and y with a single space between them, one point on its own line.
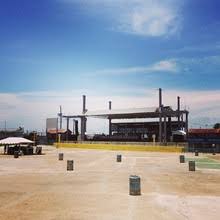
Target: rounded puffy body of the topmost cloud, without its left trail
151 18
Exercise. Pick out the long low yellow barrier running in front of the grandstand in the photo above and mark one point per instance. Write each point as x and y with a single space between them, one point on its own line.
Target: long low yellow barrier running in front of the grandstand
121 147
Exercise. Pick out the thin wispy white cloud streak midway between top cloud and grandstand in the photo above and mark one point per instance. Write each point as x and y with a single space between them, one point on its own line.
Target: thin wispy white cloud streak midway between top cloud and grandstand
161 66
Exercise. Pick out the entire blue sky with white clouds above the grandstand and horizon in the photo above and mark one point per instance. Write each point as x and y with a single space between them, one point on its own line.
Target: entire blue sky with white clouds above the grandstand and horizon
54 51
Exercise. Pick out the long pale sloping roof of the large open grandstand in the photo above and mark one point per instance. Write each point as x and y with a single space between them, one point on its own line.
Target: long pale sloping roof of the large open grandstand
150 112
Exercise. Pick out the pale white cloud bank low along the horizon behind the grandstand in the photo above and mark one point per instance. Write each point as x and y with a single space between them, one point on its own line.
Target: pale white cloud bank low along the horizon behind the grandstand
31 109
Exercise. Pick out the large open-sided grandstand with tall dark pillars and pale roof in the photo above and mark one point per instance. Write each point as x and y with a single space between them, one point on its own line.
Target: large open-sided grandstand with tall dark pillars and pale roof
167 120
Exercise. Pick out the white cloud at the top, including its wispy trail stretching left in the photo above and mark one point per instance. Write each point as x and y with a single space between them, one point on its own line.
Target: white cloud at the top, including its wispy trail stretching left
141 17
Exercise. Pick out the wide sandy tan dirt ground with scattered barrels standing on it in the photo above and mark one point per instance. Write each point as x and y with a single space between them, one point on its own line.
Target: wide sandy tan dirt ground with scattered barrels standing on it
39 187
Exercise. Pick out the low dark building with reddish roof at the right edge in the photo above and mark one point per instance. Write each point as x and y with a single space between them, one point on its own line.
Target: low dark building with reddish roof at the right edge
204 140
